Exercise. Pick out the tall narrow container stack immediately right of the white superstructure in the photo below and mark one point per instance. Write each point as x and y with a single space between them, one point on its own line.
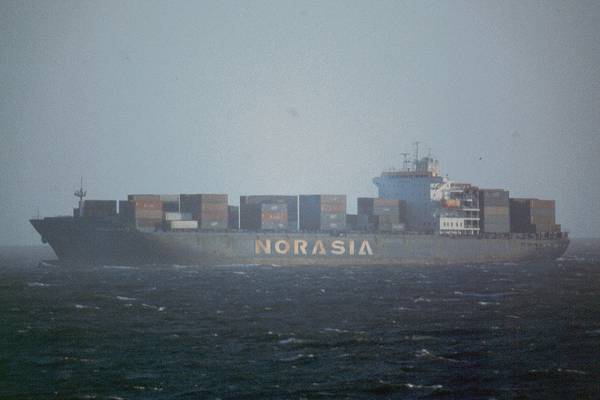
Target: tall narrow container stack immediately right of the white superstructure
494 211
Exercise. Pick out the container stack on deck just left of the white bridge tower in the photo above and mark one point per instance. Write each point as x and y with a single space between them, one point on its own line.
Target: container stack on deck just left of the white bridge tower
384 215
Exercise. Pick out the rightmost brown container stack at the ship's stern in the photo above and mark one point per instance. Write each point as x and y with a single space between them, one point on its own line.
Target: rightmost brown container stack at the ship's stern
532 216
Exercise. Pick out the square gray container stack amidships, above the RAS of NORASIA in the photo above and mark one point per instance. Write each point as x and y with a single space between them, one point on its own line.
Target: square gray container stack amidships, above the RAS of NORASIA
322 212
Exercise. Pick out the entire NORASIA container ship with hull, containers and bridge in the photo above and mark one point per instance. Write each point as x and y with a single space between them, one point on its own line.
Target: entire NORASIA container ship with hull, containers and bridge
418 218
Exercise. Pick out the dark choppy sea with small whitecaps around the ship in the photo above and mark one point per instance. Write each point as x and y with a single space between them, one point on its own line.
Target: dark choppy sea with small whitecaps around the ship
494 331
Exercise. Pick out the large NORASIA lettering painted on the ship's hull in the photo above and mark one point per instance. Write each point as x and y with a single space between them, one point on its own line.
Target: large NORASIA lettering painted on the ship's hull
300 247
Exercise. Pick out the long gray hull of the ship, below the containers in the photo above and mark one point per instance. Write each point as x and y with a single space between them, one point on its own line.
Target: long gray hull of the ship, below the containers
77 240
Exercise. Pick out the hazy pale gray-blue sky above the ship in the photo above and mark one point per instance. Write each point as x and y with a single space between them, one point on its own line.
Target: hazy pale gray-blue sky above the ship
295 97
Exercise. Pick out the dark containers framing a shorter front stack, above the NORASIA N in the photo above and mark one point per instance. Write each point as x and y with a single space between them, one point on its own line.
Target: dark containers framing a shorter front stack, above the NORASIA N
248 209
